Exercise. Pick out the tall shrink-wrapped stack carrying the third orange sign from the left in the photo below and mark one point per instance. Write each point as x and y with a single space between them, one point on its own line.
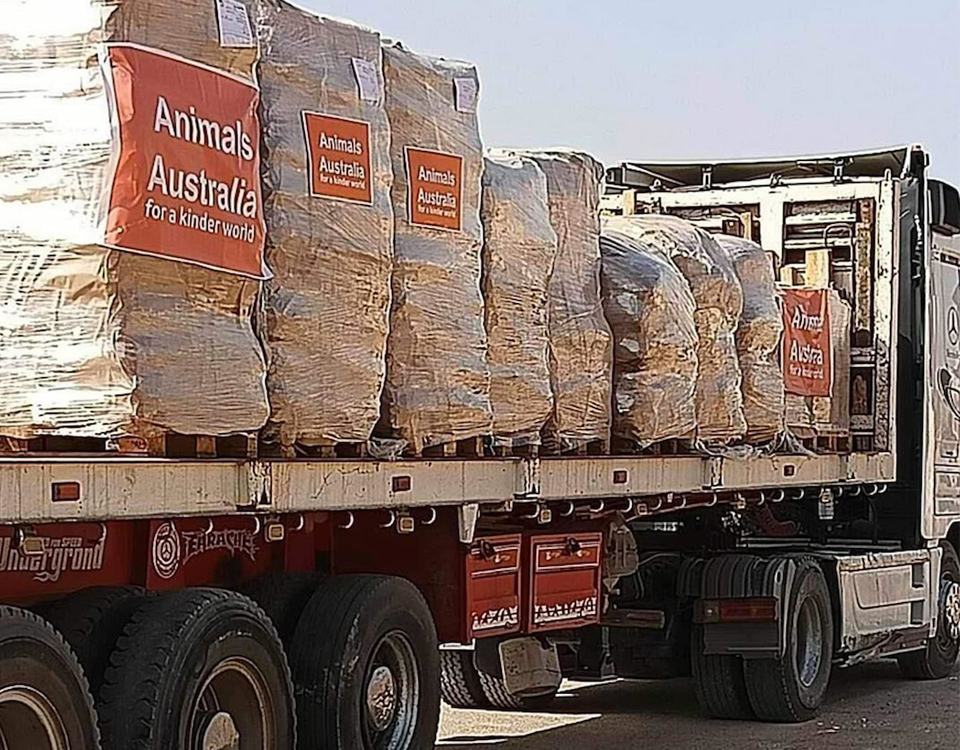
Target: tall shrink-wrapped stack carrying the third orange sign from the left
438 382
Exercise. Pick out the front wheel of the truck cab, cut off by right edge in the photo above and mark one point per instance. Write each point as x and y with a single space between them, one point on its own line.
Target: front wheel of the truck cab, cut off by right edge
939 657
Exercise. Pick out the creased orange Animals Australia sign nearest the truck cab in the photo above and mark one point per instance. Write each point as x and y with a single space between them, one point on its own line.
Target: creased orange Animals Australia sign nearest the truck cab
807 355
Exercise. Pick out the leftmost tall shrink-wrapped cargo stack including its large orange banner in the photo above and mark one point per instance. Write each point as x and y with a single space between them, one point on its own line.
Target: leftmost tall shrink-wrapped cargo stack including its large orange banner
97 342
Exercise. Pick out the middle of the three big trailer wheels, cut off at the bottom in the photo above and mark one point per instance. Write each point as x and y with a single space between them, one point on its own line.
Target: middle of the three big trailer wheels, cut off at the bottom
198 668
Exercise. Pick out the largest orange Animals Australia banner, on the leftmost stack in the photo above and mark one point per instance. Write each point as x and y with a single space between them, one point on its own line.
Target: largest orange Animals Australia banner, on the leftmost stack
187 180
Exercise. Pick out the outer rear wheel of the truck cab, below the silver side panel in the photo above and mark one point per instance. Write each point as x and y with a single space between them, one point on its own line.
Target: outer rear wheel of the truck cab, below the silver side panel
791 688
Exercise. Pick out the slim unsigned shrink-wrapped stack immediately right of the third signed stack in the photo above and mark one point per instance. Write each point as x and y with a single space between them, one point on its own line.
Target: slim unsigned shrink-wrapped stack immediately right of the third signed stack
519 250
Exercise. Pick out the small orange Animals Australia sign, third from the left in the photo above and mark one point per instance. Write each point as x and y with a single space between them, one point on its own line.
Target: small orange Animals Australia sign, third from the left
435 188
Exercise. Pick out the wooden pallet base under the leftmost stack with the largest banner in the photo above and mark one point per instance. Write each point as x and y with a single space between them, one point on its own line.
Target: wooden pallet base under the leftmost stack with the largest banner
170 445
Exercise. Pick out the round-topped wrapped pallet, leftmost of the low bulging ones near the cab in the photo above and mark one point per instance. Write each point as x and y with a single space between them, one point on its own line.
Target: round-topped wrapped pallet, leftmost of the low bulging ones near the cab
650 309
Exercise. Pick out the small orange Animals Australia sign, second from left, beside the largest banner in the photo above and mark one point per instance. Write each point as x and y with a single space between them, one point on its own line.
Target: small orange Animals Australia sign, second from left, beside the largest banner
339 154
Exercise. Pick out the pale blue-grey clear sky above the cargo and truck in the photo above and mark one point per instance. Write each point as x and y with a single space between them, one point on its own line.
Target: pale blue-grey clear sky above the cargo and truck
682 79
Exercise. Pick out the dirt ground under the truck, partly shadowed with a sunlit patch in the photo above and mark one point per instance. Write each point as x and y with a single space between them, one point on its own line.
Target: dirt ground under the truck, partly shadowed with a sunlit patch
868 707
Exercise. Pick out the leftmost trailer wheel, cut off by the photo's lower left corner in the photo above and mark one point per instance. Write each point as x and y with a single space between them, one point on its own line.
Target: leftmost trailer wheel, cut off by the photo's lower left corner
45 703
